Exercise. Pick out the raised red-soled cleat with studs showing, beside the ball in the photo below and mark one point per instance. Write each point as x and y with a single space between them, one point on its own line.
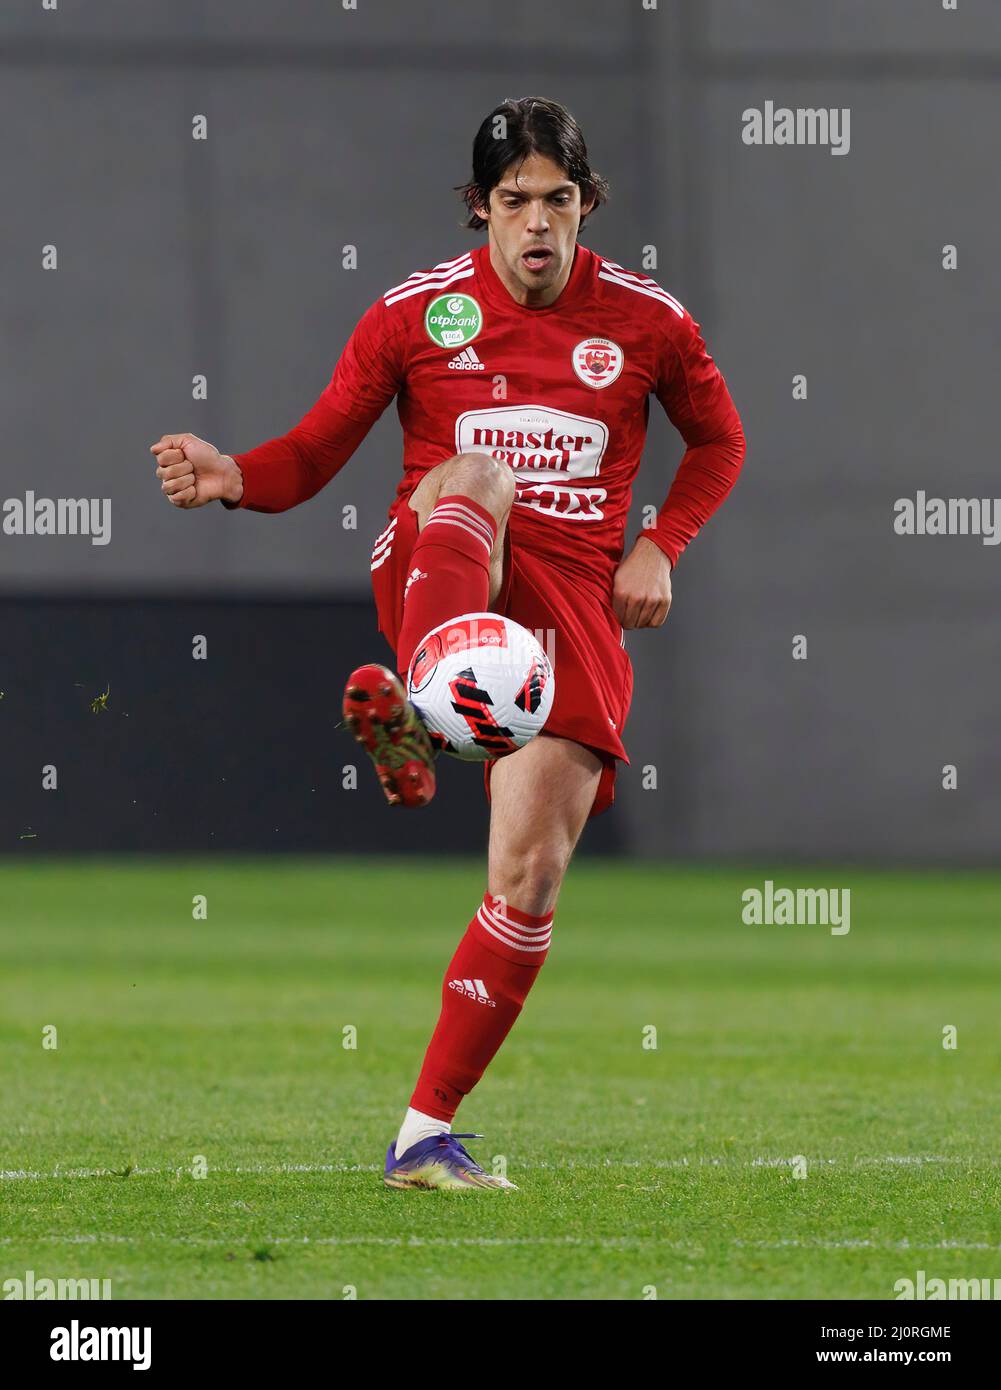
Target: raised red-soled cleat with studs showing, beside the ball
377 712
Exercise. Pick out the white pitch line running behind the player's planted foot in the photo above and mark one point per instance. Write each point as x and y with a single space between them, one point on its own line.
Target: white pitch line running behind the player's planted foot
861 1161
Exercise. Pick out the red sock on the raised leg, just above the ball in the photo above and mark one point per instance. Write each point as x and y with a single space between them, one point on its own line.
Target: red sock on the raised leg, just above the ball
450 571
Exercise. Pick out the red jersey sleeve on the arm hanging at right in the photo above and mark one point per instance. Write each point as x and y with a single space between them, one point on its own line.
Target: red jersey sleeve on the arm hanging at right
696 398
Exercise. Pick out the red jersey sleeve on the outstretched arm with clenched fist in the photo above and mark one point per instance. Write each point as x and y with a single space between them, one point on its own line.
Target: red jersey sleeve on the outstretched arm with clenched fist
294 468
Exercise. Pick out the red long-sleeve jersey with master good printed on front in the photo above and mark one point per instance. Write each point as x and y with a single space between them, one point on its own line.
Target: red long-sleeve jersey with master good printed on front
561 394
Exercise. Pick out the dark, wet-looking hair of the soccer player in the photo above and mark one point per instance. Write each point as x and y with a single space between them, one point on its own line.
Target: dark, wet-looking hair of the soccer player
512 133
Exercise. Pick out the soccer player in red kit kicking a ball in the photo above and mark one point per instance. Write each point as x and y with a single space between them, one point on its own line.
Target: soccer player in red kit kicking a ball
522 373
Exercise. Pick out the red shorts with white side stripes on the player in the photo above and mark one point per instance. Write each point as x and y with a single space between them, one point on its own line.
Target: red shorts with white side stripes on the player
575 623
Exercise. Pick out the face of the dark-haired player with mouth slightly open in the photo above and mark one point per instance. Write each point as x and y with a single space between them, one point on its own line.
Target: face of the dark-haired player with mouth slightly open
533 219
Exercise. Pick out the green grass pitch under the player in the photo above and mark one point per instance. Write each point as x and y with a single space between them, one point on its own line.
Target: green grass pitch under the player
636 1168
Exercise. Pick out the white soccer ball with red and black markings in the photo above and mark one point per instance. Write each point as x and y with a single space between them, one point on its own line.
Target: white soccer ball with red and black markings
483 685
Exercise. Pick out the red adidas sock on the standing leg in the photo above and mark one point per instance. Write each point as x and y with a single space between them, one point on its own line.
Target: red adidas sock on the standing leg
486 985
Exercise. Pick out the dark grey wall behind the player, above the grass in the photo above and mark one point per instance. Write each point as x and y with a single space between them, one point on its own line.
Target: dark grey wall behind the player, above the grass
332 129
